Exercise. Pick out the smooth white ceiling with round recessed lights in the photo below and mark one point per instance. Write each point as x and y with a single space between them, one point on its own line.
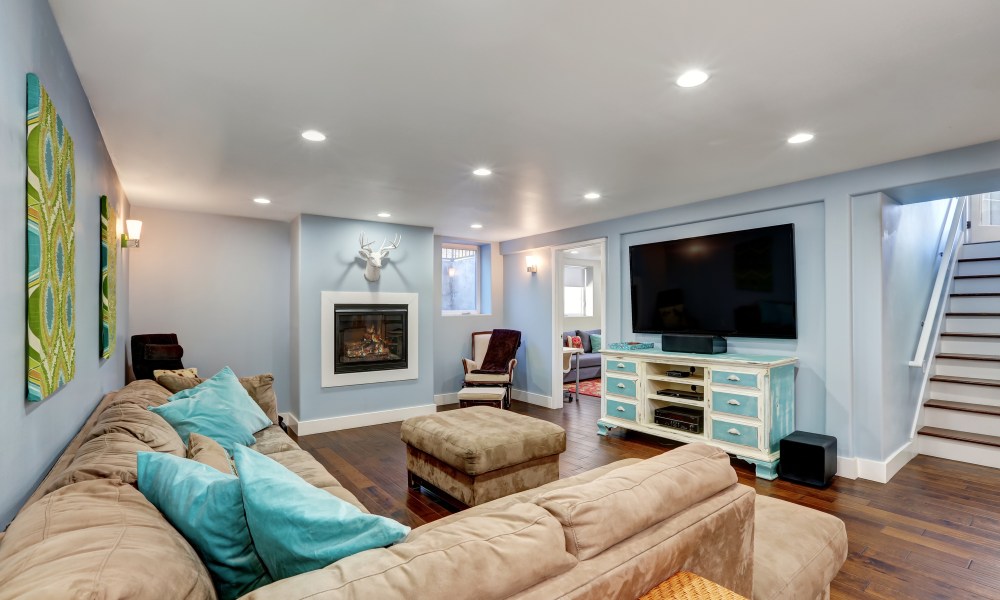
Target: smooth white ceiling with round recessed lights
201 103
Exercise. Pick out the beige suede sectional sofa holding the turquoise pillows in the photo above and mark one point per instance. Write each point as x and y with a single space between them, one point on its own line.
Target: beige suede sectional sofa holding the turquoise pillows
613 532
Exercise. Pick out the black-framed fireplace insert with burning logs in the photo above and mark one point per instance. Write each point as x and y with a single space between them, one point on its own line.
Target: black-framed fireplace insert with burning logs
370 337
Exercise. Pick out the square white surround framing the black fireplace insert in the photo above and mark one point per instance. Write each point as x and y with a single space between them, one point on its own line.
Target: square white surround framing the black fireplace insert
329 302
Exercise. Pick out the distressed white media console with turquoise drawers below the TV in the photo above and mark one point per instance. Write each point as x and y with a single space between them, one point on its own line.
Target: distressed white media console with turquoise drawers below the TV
746 401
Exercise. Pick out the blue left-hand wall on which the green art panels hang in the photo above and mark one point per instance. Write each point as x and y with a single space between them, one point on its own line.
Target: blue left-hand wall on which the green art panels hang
33 435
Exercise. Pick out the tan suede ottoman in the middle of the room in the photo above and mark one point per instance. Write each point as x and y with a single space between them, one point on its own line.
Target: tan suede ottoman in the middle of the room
478 454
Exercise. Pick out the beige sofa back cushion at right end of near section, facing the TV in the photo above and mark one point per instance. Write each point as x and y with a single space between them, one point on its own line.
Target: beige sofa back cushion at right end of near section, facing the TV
637 496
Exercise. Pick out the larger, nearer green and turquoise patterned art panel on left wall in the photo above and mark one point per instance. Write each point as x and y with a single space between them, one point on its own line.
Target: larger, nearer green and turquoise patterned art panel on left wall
51 185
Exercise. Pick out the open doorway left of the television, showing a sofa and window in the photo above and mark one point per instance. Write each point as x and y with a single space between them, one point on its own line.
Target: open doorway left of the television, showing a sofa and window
579 299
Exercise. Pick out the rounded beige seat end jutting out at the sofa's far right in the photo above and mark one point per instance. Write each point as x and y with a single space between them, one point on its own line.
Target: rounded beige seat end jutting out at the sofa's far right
797 550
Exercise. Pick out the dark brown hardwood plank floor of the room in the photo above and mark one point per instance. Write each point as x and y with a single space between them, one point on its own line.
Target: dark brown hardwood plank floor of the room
932 532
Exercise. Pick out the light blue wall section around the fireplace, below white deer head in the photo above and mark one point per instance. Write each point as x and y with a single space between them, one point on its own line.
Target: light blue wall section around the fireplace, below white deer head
325 258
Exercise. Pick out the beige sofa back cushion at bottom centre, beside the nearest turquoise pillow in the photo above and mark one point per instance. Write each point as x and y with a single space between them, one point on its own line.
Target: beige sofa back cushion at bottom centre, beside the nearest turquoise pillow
458 561
